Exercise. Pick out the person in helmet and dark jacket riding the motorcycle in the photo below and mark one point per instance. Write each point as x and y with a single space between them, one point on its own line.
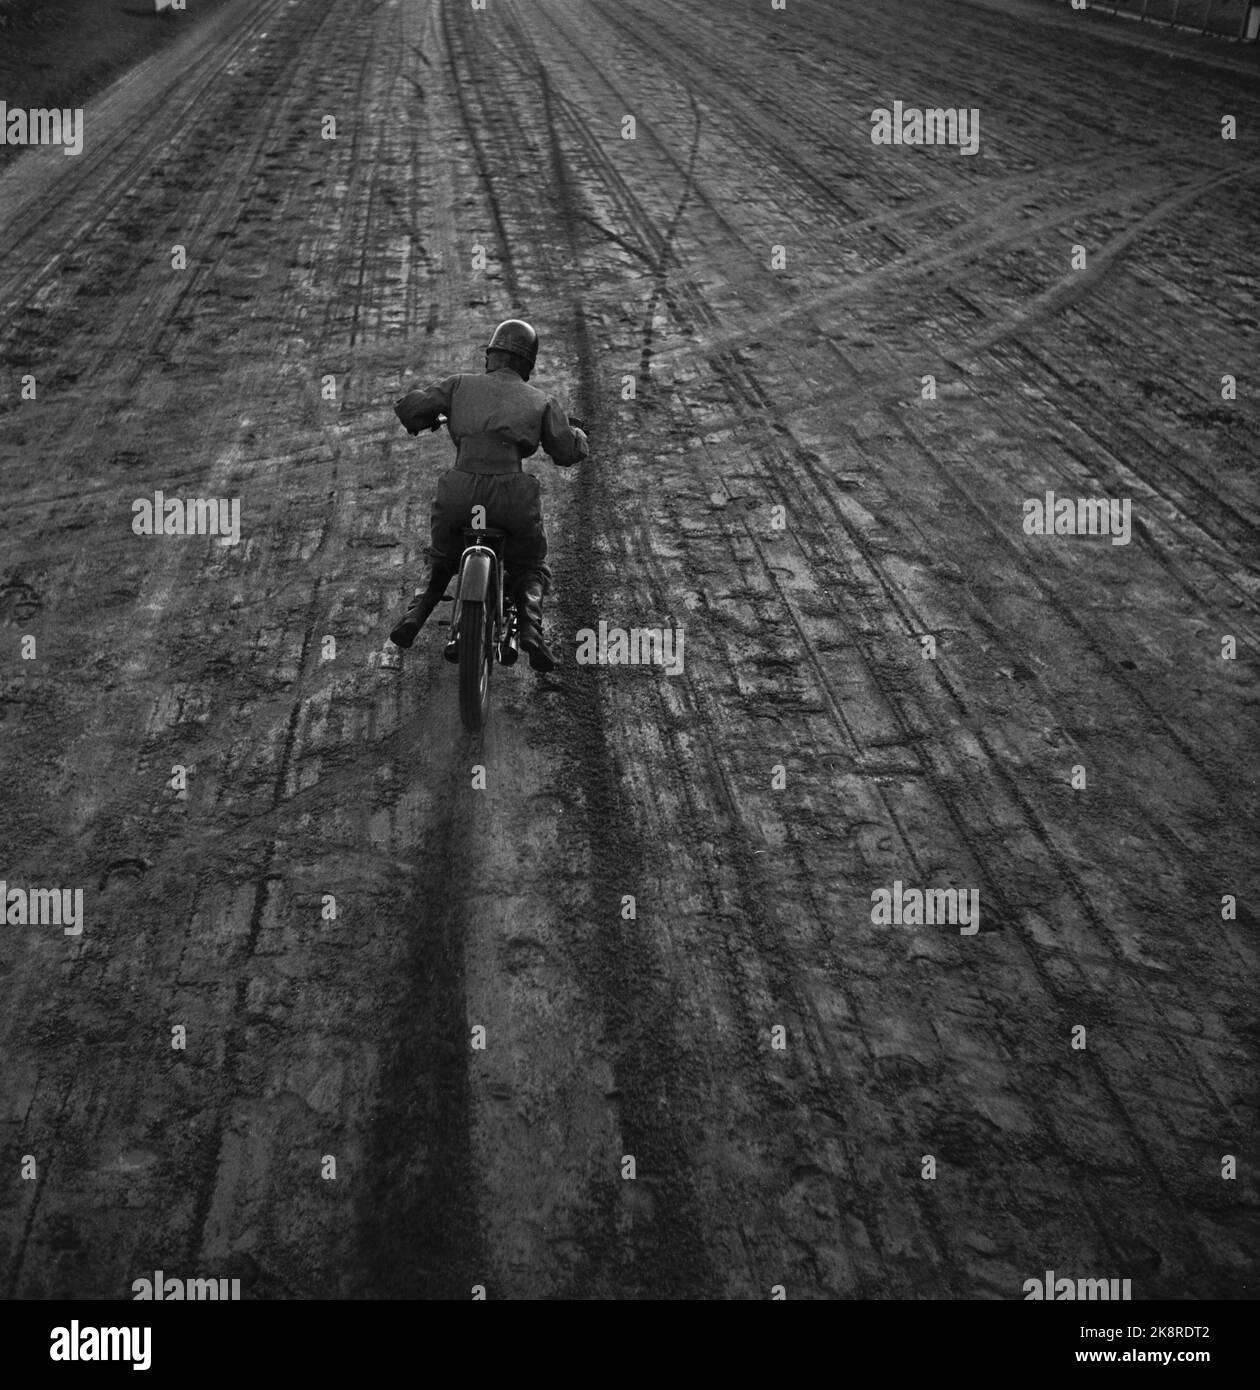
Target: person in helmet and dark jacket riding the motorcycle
496 420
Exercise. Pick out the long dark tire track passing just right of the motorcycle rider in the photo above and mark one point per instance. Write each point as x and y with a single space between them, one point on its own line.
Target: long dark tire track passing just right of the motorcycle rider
647 1243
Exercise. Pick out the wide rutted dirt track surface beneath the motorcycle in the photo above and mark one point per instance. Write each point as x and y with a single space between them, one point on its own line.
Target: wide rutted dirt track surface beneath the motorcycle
457 908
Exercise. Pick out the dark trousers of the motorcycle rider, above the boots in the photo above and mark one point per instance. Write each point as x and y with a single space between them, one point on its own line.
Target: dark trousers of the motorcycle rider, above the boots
512 505
